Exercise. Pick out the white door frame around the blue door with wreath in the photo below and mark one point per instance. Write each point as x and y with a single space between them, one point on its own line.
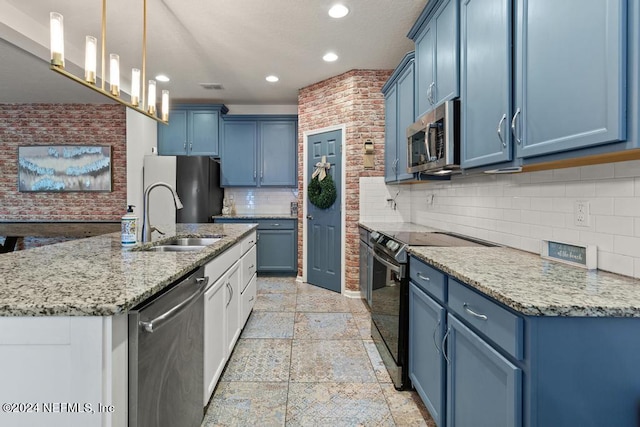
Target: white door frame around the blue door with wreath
343 212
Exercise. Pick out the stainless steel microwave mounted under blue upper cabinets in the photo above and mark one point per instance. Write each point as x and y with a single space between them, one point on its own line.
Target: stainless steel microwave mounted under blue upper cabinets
433 141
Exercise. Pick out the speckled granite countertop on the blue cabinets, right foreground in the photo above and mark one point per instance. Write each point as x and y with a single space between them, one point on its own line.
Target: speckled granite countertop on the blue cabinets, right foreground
535 286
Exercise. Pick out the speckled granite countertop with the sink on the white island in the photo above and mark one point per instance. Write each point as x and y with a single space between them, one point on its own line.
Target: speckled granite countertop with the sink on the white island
96 276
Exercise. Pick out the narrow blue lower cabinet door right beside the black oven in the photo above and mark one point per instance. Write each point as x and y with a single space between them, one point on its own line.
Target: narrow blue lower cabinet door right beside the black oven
426 362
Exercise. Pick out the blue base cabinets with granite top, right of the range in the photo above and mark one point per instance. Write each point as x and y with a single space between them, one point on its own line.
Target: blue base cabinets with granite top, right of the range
521 340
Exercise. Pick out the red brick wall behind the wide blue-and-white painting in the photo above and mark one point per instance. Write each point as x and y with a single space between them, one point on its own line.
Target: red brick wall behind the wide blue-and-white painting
62 124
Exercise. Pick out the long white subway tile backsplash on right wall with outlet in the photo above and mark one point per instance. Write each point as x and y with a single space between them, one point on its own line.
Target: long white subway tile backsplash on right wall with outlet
521 210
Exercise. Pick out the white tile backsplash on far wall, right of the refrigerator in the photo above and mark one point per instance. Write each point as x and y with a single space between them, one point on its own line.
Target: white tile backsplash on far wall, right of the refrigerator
262 200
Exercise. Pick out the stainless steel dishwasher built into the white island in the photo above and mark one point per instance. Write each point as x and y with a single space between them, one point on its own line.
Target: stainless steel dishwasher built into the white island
166 340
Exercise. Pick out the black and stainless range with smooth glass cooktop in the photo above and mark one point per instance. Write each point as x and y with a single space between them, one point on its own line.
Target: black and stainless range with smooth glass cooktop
390 294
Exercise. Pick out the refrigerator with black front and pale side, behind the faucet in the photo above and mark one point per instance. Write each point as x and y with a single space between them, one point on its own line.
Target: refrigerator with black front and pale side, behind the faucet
197 181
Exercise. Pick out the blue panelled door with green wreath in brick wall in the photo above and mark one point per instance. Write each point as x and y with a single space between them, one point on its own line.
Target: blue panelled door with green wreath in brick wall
323 232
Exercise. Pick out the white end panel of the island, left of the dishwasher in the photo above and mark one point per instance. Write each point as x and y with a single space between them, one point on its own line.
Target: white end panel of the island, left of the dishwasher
64 371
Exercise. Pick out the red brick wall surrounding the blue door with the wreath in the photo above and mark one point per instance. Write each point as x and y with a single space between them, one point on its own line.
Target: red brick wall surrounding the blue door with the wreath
353 99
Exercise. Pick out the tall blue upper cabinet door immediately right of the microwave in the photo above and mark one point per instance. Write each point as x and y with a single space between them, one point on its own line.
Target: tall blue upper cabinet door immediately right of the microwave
485 82
